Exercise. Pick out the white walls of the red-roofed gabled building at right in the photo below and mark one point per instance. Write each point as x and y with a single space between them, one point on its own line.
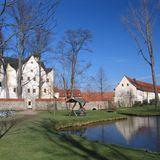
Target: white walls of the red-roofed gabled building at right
126 93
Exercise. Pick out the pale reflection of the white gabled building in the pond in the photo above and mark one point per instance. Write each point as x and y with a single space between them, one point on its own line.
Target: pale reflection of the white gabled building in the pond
131 126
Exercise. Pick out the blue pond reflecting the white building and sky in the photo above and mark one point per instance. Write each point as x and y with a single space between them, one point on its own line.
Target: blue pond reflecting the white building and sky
135 132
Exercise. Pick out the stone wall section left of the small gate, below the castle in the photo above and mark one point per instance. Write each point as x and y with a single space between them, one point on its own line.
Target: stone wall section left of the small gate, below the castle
12 104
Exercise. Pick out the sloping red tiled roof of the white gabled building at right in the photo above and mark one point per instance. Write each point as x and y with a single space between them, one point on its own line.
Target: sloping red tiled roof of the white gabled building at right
143 86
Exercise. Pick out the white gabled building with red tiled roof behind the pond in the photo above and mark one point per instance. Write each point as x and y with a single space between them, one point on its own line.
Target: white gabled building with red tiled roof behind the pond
128 91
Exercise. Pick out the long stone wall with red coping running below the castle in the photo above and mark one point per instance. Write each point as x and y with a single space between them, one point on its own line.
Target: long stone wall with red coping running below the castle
45 104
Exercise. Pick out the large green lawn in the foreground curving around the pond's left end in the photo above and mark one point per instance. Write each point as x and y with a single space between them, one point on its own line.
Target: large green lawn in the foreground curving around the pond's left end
34 138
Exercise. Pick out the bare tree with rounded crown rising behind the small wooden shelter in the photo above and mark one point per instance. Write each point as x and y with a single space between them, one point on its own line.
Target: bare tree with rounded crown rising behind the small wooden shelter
76 41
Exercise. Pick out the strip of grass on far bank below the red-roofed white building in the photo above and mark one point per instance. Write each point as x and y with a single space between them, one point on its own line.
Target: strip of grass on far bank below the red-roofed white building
147 110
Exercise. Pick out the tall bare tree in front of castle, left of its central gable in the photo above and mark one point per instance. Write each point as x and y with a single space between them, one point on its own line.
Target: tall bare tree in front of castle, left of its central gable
21 14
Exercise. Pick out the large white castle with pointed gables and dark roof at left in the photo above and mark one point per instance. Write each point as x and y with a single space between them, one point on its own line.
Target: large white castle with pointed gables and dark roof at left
30 79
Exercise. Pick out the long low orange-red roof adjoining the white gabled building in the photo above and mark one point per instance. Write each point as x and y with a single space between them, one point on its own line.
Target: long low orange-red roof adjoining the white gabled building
98 96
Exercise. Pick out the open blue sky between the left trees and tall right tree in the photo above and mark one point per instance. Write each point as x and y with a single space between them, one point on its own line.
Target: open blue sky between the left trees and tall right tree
112 46
